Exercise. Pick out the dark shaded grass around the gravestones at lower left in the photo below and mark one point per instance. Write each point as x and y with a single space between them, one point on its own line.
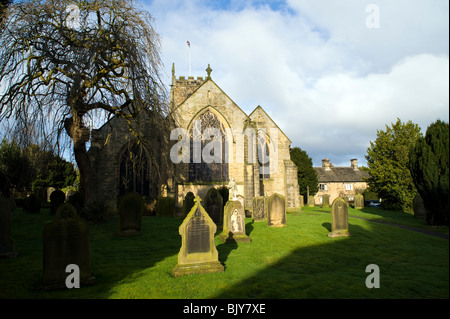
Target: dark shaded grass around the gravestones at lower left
113 259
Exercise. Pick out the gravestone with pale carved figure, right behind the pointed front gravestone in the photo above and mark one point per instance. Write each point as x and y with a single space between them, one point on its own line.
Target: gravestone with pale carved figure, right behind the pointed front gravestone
234 223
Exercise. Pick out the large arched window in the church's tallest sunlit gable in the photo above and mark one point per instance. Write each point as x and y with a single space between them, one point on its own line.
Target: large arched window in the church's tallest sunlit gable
213 168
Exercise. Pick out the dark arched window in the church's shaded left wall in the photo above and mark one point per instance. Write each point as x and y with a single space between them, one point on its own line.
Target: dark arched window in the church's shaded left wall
134 171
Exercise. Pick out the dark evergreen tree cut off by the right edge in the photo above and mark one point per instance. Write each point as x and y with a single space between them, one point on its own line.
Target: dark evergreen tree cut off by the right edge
429 165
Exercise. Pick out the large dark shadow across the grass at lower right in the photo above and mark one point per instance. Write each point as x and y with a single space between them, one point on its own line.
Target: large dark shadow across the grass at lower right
336 269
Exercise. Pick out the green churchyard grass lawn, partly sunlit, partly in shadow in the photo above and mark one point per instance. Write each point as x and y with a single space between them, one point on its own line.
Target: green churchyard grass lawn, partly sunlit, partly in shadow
296 261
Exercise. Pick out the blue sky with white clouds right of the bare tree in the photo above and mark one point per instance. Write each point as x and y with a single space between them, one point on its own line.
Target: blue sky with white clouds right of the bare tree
326 79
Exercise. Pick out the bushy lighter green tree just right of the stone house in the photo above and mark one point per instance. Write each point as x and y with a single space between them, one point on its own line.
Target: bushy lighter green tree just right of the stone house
388 165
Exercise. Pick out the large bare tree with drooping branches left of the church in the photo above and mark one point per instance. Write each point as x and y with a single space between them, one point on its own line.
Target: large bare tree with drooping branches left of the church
62 62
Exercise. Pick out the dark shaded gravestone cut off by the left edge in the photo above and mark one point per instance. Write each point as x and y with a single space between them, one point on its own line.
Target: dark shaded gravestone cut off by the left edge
7 205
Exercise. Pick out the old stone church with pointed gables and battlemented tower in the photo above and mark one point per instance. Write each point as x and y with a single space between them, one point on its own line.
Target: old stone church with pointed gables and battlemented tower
213 143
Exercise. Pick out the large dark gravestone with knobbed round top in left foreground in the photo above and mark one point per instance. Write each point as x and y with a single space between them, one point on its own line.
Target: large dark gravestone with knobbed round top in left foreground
65 242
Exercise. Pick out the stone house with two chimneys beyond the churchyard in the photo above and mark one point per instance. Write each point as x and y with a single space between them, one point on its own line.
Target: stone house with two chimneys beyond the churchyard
339 181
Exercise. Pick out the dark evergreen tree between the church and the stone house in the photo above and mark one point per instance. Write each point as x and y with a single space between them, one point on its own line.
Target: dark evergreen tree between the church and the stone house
307 176
